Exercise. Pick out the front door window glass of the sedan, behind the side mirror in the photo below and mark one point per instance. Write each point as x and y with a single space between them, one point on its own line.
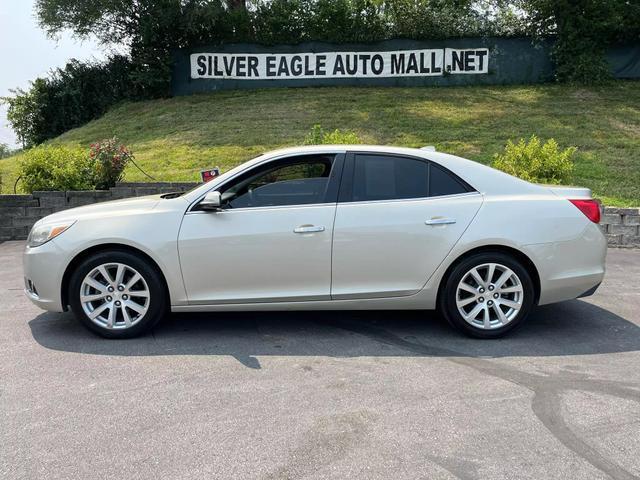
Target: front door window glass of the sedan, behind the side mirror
297 181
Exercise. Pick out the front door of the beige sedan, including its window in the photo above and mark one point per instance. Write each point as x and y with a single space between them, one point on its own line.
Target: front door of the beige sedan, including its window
272 239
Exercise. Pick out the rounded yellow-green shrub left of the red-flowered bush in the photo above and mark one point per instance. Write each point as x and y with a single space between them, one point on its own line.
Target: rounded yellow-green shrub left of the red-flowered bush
52 167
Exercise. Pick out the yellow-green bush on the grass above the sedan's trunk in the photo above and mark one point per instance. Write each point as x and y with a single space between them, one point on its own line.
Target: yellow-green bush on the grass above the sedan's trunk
535 162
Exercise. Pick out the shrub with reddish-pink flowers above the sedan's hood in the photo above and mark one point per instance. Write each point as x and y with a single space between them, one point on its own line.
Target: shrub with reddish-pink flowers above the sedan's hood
109 158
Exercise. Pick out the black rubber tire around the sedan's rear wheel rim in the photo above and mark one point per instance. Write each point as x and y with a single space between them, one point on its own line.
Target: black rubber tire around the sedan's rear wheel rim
447 300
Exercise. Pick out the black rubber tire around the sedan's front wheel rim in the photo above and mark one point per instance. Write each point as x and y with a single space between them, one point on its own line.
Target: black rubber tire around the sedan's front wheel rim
157 305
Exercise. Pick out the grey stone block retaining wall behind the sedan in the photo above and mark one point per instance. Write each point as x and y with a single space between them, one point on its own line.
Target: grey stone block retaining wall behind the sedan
18 213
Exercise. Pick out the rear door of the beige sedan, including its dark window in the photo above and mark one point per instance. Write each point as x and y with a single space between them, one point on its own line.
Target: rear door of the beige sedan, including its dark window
397 218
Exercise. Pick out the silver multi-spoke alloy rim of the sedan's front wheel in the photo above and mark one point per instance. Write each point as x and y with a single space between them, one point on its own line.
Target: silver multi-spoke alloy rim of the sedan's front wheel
114 296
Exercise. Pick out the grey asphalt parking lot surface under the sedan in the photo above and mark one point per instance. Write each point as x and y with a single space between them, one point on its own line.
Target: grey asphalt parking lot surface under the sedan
338 395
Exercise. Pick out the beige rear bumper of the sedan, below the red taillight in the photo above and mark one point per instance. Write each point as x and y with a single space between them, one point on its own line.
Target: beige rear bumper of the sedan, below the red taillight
570 269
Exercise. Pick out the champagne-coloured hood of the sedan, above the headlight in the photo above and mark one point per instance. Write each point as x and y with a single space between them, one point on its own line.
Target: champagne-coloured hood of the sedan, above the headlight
112 208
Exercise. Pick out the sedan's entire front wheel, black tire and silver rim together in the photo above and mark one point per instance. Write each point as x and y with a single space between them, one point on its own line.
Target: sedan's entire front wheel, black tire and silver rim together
117 294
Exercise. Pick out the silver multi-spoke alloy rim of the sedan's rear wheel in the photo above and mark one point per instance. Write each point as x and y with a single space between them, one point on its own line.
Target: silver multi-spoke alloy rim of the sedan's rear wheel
489 296
